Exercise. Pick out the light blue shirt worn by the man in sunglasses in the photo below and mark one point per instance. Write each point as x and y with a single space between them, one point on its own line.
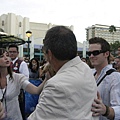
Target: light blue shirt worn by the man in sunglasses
109 90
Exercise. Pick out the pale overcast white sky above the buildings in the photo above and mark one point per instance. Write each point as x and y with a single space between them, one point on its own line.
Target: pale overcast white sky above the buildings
79 13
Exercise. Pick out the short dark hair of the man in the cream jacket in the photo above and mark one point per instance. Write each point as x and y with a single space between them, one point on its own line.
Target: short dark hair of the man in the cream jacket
62 43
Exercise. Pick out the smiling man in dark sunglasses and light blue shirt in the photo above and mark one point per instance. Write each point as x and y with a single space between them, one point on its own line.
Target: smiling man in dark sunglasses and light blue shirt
108 103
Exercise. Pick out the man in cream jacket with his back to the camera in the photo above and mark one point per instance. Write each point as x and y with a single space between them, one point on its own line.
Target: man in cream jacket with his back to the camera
69 94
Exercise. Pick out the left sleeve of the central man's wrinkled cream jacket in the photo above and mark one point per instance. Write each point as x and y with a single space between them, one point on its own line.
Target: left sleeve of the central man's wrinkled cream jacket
49 102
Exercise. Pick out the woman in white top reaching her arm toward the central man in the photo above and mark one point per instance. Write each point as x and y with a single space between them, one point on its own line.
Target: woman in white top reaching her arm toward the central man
10 85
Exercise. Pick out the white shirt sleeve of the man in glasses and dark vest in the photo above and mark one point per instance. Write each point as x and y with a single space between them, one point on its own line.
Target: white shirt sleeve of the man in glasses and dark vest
24 69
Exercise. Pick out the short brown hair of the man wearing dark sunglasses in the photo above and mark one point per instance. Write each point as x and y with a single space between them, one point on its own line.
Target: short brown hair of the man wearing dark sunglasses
105 46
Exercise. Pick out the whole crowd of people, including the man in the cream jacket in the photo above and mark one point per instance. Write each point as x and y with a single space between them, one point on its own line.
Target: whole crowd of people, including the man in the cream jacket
72 88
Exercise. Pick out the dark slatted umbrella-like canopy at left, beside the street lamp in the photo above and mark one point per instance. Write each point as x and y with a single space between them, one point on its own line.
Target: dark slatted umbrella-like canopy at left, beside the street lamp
6 40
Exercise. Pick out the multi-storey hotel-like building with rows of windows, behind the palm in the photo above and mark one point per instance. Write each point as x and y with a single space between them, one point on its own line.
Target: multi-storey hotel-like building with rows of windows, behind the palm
98 30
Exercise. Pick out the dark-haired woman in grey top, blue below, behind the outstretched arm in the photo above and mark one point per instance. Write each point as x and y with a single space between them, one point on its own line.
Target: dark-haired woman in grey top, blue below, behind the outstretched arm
34 78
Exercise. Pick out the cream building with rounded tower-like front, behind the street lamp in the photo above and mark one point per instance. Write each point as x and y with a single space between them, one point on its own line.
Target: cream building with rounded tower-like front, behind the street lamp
17 25
